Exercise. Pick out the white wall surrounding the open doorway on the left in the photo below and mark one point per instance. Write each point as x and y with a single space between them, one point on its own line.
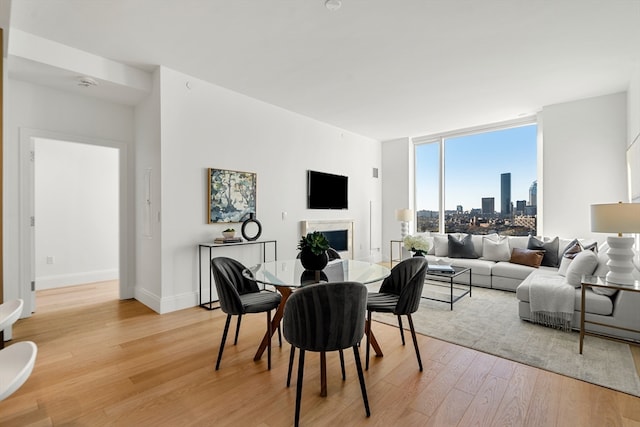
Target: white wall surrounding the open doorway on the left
33 107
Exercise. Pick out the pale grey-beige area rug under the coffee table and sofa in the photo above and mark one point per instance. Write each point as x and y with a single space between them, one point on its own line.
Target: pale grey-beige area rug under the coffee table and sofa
489 322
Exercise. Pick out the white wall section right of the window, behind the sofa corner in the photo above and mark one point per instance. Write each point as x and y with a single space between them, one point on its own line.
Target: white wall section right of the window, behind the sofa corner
584 162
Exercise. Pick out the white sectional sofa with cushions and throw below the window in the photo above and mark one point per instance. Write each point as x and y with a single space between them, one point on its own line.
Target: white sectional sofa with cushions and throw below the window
491 267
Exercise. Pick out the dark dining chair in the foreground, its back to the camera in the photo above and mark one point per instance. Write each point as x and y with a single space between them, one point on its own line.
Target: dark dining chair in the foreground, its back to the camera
326 317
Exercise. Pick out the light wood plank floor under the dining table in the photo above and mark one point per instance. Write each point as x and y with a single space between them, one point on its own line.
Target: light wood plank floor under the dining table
107 362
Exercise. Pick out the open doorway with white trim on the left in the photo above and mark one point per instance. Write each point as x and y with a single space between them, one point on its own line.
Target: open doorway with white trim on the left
70 260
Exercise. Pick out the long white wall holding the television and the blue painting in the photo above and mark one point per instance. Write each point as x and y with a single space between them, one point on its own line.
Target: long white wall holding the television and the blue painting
205 126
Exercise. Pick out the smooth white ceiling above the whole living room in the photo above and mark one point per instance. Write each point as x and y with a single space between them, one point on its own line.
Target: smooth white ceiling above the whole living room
380 68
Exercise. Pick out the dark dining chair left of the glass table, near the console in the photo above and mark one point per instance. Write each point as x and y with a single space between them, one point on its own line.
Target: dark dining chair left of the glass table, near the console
238 296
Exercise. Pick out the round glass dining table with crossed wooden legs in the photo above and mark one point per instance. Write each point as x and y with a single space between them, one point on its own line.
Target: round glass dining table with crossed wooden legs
288 275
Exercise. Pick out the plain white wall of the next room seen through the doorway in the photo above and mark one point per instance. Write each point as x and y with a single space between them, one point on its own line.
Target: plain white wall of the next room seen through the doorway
76 210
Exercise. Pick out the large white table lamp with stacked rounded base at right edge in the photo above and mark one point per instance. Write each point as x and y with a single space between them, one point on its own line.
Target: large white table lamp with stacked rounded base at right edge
618 218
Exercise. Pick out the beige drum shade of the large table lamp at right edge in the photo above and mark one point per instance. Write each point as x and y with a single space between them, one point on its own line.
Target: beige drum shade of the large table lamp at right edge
616 218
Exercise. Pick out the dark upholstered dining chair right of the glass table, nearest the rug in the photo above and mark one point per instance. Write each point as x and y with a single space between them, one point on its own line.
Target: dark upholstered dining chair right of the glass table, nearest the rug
399 294
